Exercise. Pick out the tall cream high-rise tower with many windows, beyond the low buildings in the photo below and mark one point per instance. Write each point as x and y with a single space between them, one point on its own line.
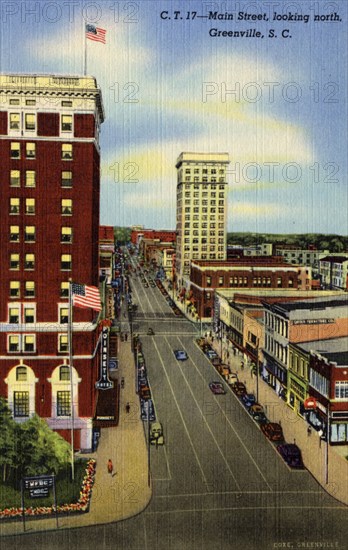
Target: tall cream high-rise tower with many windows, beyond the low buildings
201 214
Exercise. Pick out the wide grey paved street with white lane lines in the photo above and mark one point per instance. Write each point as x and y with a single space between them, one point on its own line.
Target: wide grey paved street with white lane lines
217 482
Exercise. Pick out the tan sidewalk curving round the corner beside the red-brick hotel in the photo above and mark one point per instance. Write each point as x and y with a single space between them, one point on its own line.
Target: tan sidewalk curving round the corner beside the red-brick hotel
124 494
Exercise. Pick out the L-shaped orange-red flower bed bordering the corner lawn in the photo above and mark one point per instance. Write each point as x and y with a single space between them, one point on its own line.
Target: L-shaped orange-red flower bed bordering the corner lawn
81 505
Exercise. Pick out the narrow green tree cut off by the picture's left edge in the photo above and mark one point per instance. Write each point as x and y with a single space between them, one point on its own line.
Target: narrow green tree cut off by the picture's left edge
7 445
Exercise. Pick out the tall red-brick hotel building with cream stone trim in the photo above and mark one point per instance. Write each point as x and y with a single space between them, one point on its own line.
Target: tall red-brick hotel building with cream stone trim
50 187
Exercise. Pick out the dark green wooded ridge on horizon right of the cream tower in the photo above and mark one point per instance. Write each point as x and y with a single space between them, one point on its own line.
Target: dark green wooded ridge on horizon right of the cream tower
334 243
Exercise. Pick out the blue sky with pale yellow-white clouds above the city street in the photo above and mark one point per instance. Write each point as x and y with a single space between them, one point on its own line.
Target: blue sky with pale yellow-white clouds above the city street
166 88
